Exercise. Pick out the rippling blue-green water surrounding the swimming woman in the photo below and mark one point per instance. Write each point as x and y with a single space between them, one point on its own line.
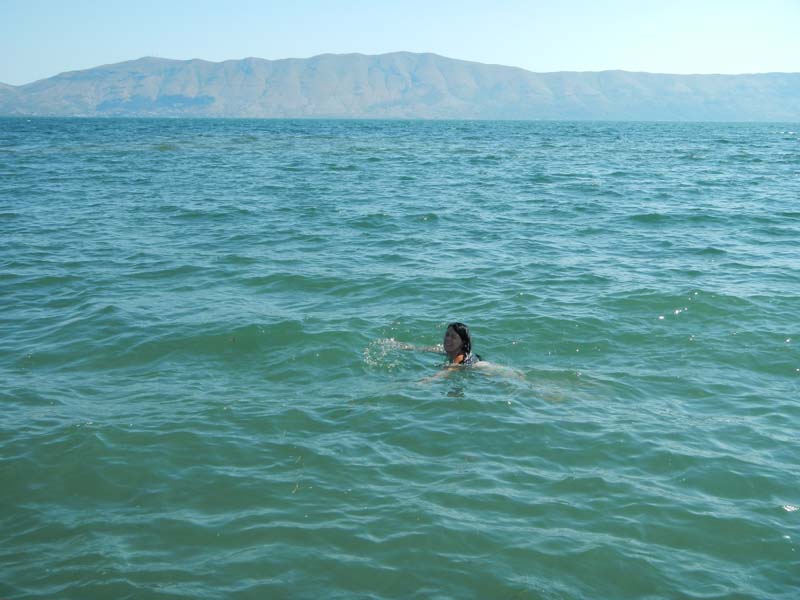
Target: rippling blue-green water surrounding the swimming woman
204 394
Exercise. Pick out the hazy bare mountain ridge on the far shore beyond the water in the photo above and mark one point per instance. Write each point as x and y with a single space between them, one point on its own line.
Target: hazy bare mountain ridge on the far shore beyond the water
398 85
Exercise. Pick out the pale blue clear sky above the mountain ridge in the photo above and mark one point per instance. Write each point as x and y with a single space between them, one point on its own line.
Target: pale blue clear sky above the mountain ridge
40 38
